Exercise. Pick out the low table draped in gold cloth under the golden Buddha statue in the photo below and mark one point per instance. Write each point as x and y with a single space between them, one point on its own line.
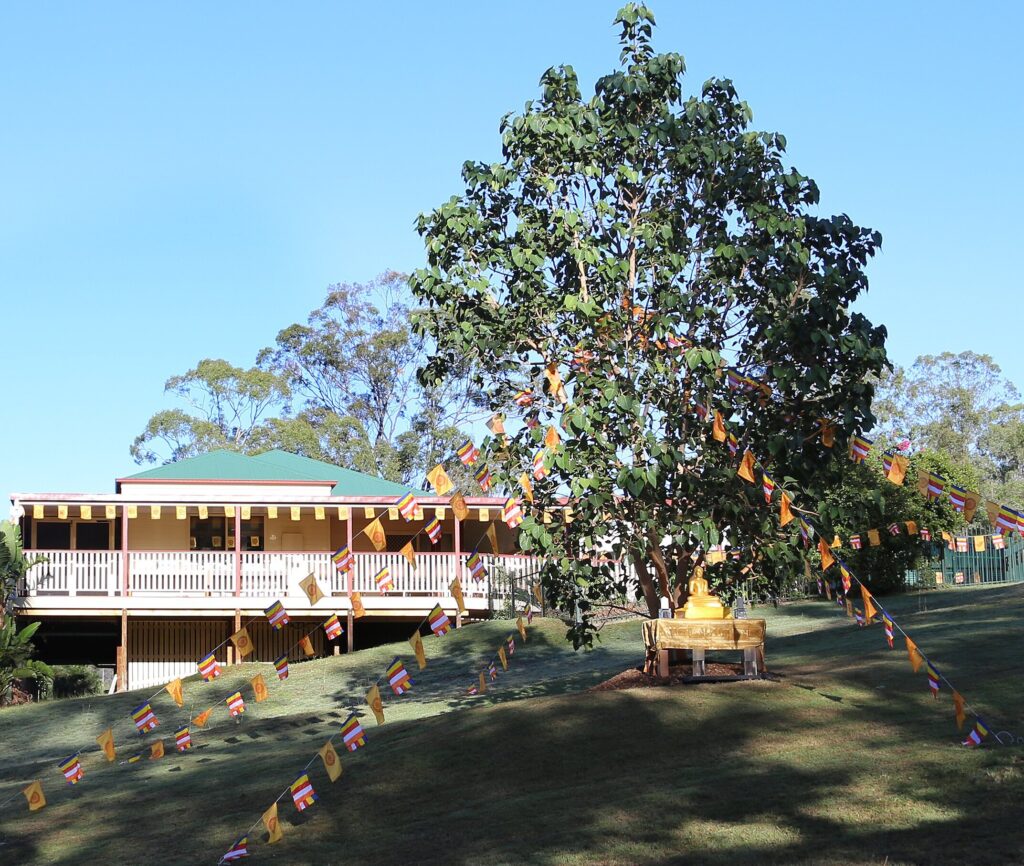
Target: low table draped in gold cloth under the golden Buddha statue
662 636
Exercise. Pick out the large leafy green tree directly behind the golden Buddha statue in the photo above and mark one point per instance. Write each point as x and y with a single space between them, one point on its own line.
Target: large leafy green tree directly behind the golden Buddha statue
637 263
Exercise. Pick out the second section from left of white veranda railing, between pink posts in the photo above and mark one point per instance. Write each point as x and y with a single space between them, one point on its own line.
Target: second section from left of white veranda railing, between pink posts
182 573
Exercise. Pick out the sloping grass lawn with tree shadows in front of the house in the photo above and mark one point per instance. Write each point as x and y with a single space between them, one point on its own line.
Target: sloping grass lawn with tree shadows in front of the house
846 759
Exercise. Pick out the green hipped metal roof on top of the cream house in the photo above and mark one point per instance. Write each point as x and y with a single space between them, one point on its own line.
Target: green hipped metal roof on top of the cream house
274 466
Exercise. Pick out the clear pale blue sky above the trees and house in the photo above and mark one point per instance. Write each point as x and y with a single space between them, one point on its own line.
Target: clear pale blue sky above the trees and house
183 181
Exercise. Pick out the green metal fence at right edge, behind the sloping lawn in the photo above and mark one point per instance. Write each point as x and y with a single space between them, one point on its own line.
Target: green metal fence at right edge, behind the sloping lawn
947 568
